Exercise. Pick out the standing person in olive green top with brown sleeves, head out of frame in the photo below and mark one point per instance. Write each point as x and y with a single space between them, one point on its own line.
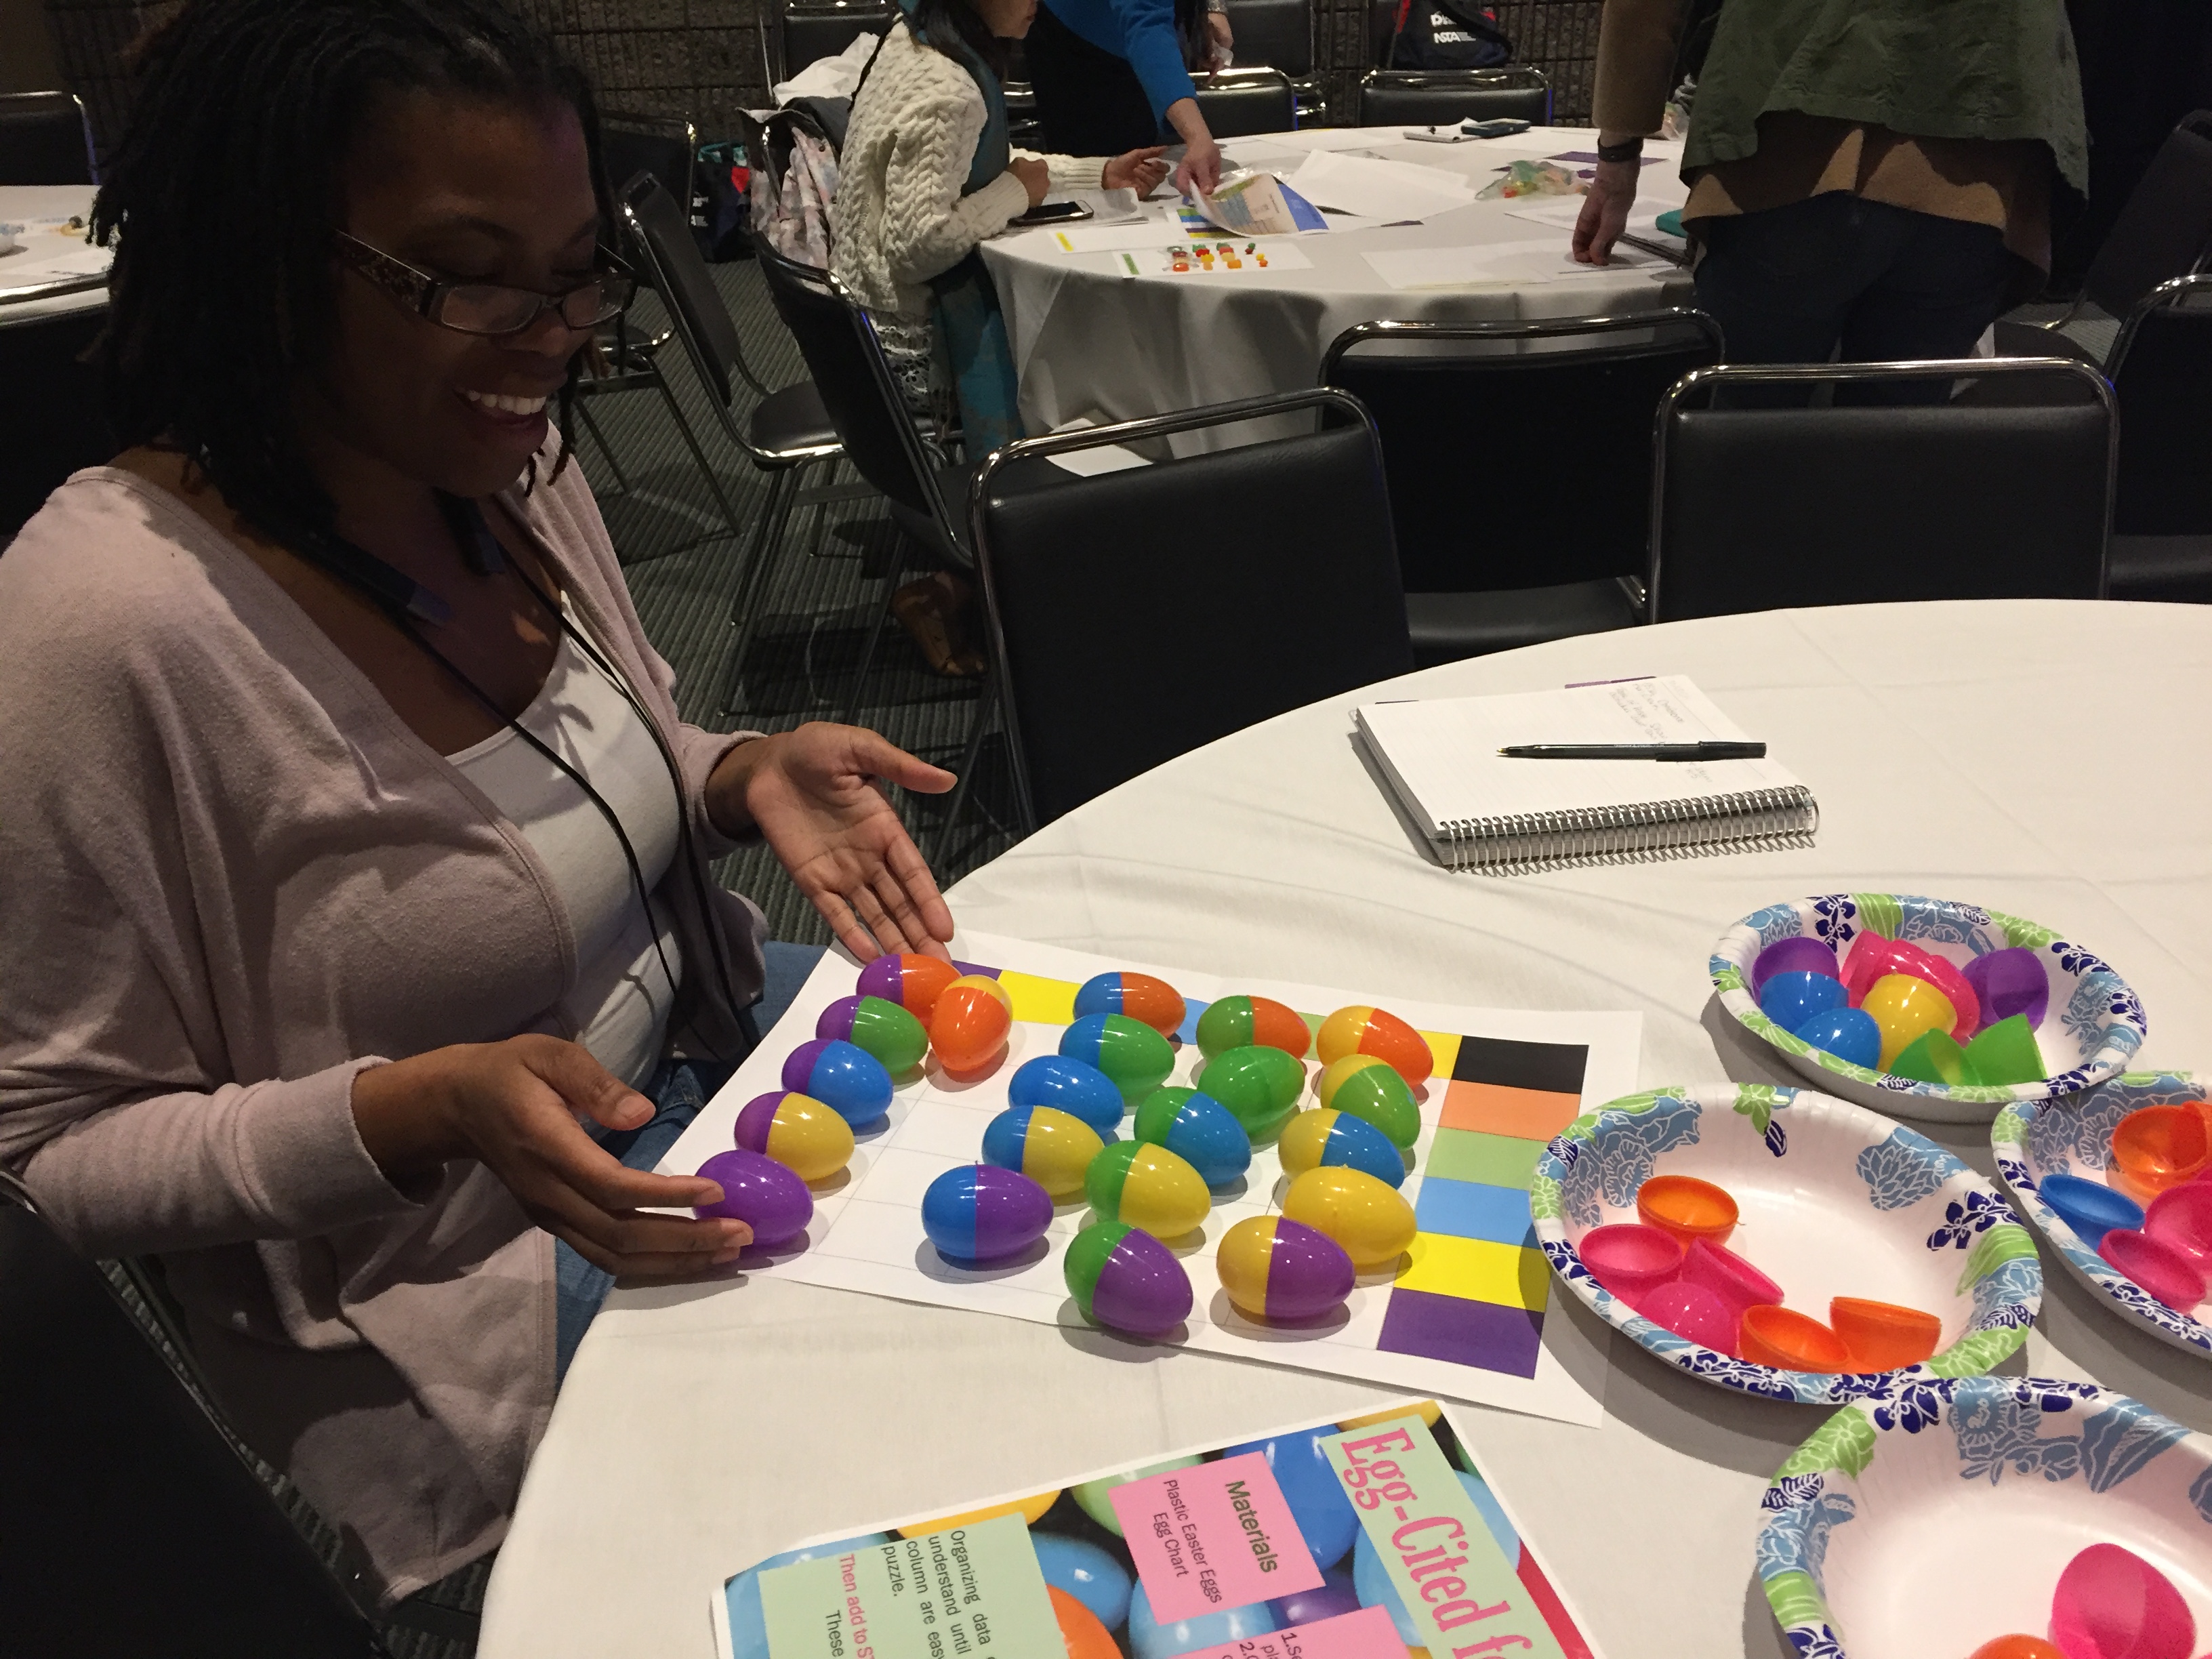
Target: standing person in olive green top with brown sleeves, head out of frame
1868 178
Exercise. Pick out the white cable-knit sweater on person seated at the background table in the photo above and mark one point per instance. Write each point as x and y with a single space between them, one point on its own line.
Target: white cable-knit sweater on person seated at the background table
899 213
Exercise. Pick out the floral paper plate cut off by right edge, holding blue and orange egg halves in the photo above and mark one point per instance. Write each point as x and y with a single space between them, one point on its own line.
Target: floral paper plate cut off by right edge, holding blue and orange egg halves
2074 1136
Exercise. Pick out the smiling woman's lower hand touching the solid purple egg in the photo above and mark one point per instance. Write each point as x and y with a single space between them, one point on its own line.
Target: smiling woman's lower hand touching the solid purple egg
514 1107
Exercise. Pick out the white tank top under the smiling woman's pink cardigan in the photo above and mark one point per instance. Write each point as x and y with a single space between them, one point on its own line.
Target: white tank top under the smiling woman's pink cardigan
620 999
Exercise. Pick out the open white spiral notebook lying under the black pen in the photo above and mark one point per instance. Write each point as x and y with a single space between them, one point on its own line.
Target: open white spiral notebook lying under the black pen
1483 811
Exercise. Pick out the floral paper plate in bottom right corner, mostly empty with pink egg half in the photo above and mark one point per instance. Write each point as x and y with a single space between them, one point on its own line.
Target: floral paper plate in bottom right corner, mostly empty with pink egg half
1941 1519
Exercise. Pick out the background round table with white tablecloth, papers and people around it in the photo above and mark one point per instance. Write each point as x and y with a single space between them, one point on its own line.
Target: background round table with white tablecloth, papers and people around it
1094 342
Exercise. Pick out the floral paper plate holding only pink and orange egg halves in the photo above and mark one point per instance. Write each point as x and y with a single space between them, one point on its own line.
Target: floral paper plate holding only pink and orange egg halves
1835 1202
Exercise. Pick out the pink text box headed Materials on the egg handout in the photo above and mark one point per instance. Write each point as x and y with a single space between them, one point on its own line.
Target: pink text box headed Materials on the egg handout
1213 1536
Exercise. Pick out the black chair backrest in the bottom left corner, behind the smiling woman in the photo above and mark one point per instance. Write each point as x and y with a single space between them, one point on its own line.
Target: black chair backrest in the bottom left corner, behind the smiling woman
127 1521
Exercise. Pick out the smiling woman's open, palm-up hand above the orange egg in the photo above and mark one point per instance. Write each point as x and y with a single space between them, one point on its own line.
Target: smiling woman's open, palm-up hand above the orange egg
813 793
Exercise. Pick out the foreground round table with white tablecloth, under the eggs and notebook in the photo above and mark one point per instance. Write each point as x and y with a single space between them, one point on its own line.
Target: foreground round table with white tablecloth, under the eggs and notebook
2010 753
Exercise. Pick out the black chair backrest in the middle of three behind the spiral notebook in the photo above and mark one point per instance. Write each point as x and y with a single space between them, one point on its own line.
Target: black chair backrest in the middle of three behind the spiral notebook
1519 455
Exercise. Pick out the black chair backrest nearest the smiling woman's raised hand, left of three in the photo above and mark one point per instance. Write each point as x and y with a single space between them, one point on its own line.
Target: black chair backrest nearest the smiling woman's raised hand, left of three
1140 614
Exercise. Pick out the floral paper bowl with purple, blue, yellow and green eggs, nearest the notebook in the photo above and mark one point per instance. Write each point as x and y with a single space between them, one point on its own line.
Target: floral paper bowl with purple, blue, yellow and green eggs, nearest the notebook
2094 1027
